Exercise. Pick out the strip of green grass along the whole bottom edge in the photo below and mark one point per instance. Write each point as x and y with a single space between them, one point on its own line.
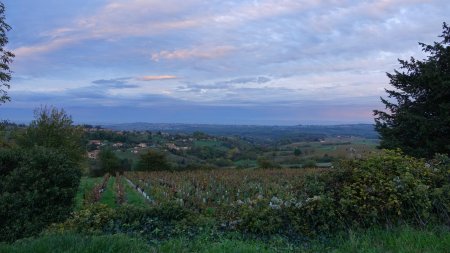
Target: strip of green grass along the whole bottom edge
405 239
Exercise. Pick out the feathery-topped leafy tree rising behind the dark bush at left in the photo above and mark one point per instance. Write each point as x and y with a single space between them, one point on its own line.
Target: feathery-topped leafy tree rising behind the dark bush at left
53 128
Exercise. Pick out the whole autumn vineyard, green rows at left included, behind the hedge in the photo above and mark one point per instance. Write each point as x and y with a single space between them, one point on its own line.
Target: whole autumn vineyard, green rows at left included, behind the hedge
200 191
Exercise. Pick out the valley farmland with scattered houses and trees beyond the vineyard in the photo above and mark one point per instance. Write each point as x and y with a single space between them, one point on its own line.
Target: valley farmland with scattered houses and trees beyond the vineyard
296 147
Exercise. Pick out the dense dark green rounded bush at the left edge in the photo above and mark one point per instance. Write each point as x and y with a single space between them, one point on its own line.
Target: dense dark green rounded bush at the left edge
37 187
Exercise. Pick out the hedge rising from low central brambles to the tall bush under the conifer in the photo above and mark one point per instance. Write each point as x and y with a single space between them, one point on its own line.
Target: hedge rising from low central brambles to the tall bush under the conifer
383 189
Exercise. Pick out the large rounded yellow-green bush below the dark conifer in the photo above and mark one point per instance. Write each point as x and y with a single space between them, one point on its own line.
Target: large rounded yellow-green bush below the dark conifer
388 188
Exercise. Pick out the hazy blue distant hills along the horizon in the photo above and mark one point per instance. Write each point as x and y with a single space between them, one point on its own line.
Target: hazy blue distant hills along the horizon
256 132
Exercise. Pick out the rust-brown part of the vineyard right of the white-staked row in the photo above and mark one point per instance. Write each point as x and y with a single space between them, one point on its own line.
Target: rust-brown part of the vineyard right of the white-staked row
219 190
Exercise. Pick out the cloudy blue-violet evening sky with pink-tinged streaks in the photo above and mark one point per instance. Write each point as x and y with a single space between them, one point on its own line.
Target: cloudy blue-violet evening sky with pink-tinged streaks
264 62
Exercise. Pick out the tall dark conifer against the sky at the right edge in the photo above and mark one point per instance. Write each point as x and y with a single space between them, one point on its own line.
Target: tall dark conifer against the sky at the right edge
417 119
